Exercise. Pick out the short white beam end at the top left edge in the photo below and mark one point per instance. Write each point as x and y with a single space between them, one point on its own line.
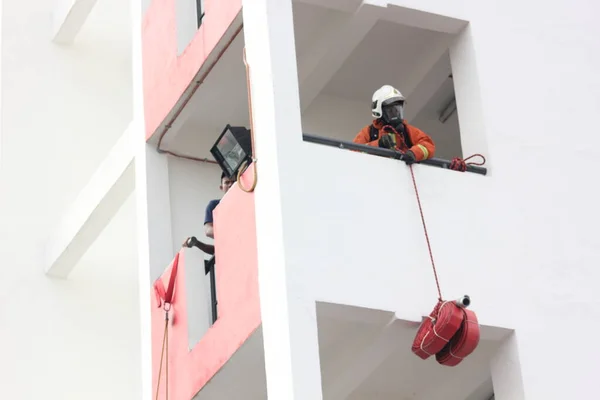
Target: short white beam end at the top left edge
69 17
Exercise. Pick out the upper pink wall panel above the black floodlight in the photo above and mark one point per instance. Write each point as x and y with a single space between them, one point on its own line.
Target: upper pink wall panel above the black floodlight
166 75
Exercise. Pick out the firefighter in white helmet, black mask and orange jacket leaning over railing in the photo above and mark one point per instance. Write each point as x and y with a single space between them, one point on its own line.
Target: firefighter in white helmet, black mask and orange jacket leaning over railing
391 131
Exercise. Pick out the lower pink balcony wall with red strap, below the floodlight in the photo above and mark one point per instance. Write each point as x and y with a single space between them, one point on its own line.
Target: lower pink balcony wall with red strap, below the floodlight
237 291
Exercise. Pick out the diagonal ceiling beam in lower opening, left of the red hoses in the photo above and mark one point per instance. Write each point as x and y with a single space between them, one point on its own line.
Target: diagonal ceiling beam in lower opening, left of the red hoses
366 361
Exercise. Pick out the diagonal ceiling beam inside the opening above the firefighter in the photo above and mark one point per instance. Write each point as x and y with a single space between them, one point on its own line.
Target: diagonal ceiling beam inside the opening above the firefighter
330 52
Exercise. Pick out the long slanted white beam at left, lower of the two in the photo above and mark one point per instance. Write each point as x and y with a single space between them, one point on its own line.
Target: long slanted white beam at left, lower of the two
93 209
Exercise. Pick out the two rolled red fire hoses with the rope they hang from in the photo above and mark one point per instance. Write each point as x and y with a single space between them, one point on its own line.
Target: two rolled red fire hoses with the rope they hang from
451 332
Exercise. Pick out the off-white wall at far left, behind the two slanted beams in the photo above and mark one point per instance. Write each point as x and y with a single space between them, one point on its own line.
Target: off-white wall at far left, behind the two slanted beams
63 108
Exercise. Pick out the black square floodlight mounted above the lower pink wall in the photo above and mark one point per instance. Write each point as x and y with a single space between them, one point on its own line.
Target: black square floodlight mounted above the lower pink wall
233 149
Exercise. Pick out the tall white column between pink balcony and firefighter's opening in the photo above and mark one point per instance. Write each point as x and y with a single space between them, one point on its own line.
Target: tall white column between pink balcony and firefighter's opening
288 312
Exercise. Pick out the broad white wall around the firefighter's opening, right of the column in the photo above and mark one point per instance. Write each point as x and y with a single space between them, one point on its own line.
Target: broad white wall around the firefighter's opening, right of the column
522 241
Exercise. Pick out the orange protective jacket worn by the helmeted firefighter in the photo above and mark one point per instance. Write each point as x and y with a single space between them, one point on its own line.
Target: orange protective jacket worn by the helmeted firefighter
418 141
